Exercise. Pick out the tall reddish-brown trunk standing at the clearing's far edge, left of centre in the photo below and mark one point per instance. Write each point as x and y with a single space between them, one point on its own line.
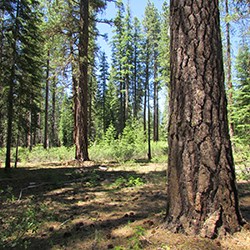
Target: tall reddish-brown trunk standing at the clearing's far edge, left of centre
81 136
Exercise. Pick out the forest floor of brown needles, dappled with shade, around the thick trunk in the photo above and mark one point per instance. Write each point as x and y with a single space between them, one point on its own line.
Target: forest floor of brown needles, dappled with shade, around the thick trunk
62 205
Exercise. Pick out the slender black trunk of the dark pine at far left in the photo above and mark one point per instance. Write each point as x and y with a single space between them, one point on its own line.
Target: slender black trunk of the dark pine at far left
10 109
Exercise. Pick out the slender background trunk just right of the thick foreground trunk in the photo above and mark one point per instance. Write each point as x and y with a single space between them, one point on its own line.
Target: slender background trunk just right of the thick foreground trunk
229 72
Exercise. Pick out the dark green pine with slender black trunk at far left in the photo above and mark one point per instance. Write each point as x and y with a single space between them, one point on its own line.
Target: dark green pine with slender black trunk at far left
24 70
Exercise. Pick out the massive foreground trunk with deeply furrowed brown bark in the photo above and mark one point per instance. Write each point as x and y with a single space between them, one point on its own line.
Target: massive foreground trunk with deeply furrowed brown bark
202 194
